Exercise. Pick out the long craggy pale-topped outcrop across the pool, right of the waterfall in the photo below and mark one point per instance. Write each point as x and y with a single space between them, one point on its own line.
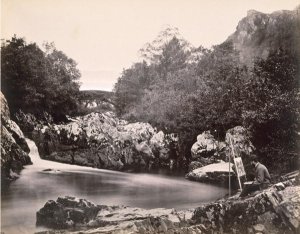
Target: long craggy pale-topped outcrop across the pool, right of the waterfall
102 141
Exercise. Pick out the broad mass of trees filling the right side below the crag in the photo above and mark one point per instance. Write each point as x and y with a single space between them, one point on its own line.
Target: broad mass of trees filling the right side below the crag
216 92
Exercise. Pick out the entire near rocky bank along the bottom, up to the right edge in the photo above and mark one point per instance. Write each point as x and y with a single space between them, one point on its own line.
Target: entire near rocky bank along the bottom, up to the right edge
274 210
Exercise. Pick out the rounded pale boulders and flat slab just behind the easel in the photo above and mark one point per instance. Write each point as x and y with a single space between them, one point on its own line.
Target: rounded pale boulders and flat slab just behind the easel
208 151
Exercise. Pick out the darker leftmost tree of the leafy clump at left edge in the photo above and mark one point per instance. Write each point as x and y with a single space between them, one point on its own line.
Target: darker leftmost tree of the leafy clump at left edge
22 68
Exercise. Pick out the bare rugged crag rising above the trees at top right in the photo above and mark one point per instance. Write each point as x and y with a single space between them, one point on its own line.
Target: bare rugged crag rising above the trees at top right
258 34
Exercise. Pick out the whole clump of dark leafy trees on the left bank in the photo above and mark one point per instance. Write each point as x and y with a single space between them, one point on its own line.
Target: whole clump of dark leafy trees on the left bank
37 81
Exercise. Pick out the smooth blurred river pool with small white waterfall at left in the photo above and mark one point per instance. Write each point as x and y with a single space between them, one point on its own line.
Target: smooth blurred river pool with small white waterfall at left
25 196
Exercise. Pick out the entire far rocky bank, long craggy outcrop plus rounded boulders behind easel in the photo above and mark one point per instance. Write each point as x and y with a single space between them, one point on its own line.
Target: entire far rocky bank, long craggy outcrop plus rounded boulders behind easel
102 140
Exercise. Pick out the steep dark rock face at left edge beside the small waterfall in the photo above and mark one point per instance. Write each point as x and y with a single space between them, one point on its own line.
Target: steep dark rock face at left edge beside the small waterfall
14 149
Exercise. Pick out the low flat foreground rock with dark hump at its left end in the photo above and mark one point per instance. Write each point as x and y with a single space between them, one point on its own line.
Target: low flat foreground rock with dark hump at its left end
80 214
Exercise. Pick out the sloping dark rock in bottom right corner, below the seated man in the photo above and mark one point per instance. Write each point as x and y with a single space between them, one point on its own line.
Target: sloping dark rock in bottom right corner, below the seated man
270 211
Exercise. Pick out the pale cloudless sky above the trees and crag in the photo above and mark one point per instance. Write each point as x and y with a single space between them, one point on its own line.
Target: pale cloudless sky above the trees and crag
104 36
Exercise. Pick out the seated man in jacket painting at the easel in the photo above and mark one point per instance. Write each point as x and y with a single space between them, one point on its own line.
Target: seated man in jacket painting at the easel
262 179
